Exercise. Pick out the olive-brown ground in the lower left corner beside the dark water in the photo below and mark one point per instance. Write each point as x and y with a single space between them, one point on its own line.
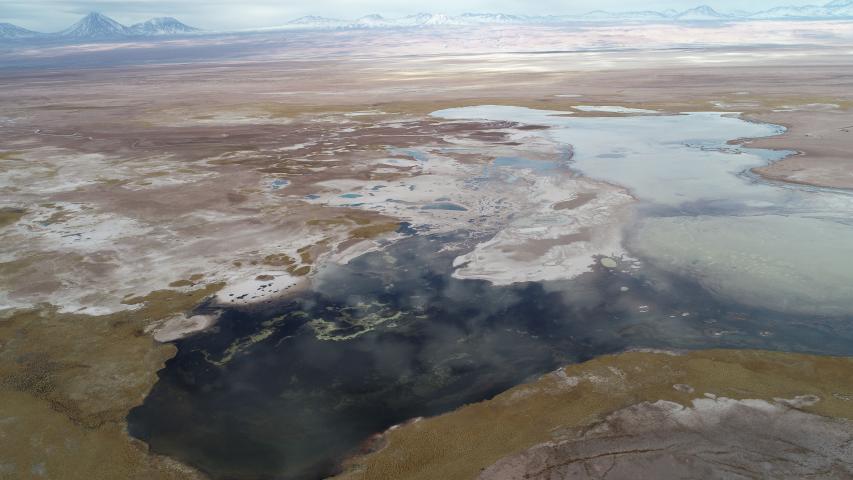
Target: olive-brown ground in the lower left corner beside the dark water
67 382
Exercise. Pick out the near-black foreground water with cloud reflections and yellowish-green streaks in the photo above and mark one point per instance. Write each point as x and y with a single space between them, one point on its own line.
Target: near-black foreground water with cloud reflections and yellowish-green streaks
262 397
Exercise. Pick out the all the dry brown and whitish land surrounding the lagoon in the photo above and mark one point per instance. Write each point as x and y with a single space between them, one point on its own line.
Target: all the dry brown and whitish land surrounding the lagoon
156 186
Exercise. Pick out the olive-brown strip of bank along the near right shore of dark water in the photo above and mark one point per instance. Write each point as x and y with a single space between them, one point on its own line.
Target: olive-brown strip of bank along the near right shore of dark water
562 405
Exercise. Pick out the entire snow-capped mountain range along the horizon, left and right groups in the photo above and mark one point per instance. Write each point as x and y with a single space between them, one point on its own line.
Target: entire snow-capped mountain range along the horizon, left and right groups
96 26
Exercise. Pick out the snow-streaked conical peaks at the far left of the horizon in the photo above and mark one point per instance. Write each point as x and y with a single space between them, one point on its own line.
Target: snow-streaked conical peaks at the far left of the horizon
96 26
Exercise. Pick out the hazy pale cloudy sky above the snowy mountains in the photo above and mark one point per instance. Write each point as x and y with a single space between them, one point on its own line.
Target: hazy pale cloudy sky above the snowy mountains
50 15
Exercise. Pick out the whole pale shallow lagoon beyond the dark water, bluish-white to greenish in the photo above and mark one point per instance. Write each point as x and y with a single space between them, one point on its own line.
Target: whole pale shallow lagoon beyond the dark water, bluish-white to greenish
702 214
